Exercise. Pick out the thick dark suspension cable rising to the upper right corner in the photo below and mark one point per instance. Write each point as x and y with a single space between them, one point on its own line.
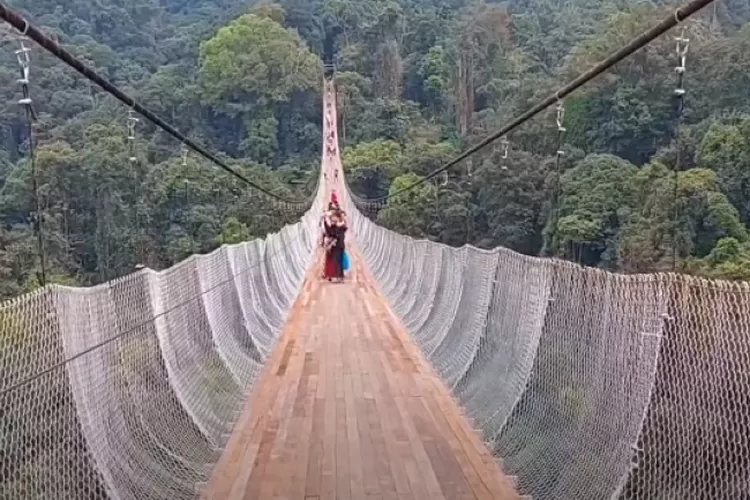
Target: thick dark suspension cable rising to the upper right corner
641 41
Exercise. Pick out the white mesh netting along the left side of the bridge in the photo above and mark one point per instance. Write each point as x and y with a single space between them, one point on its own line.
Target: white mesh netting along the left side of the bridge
130 389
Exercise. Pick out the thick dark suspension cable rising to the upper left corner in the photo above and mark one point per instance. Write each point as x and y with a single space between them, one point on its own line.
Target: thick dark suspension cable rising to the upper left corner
29 30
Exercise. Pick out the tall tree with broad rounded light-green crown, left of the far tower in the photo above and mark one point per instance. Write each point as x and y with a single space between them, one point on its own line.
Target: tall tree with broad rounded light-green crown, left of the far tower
249 70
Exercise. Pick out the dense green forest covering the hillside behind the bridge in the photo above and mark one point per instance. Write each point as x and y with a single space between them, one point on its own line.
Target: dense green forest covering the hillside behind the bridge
417 81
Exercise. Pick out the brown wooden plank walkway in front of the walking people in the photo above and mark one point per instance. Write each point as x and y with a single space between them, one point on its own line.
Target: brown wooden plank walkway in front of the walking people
347 408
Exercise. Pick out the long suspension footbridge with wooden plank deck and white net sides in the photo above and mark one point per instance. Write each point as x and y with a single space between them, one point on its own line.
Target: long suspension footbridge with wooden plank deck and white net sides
433 372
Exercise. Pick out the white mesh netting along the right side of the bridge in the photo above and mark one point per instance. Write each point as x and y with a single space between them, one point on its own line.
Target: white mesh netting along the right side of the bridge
587 384
